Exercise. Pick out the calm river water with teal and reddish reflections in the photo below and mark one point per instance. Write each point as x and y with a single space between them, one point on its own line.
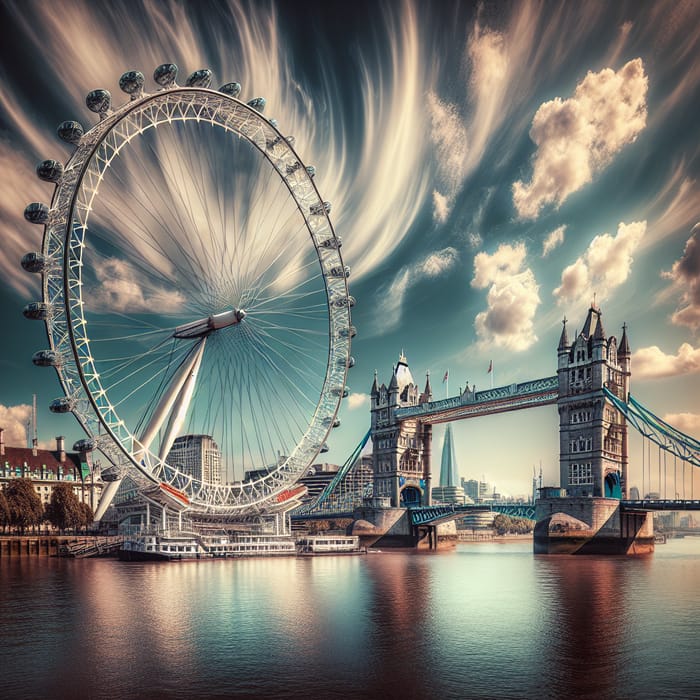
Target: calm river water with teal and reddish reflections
484 621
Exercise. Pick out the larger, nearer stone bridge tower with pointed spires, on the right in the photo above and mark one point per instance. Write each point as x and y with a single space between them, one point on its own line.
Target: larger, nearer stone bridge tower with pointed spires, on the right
593 444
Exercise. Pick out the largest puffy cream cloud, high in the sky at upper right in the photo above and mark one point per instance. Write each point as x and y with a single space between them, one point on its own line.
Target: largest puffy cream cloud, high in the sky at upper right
577 137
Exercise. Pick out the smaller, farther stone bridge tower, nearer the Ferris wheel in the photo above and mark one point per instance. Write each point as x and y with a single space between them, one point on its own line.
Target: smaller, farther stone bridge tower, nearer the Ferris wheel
400 449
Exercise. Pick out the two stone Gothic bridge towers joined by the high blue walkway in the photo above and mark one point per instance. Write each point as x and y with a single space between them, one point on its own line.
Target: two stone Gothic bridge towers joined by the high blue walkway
593 432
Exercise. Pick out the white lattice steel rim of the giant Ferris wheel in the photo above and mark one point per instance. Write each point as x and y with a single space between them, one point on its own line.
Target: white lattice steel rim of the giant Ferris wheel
264 488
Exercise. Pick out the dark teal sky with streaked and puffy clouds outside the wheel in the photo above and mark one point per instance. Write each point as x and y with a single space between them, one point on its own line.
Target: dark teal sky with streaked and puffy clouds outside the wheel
492 168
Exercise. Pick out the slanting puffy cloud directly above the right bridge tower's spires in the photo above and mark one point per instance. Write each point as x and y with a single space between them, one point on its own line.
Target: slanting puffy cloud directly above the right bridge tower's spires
604 266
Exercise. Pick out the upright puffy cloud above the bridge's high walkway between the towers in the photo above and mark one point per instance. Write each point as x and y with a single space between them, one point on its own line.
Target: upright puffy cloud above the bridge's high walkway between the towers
512 299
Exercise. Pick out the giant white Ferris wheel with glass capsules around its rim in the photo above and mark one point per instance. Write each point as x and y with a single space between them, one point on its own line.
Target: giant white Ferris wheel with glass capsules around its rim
193 289
